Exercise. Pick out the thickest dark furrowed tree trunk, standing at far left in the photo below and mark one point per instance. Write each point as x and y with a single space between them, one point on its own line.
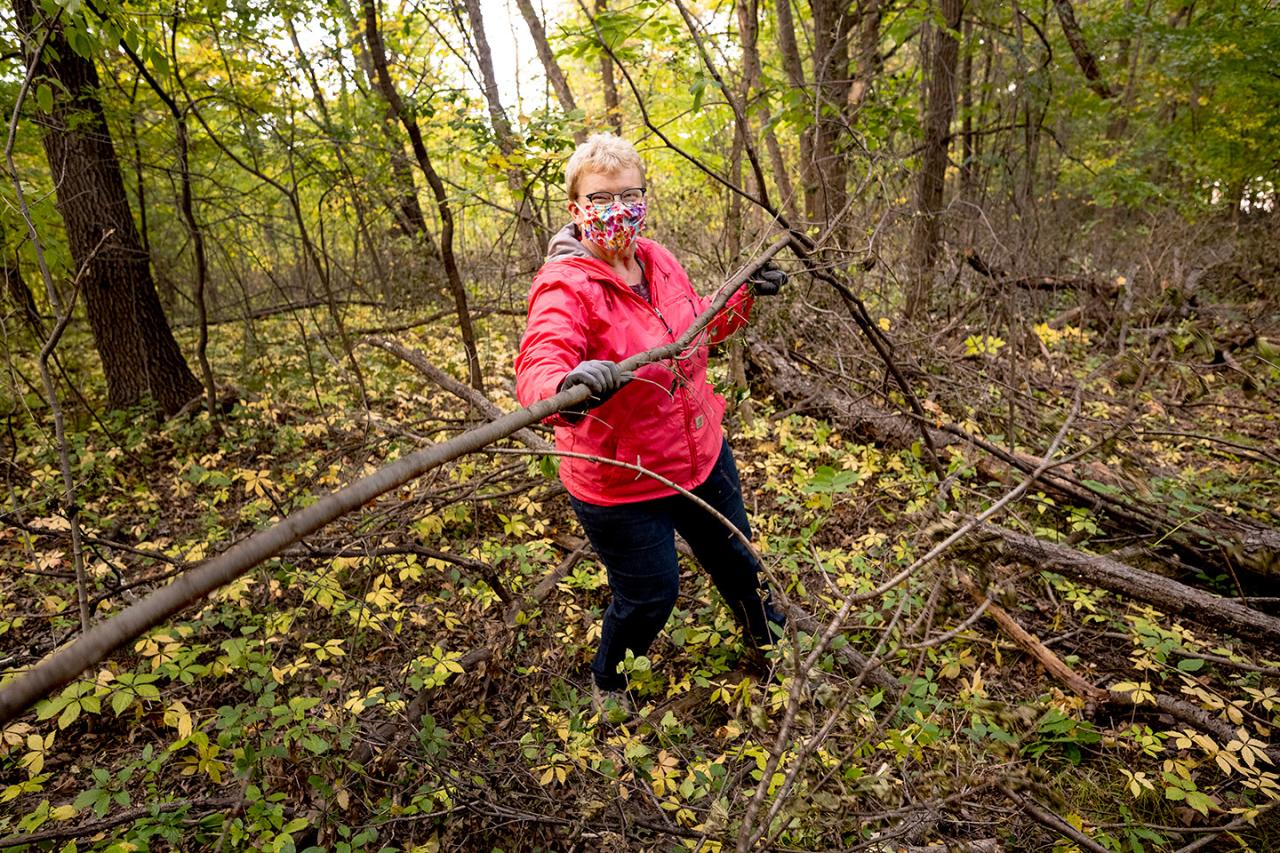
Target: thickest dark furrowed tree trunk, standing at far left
140 357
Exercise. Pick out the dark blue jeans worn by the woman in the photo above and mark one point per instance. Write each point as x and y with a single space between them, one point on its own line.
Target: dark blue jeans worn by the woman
638 546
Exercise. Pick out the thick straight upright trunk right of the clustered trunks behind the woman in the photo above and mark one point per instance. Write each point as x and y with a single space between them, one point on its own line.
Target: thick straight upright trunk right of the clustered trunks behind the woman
931 181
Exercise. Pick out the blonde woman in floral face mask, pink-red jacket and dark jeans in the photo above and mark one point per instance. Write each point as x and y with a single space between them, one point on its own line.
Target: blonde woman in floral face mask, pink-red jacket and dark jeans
604 295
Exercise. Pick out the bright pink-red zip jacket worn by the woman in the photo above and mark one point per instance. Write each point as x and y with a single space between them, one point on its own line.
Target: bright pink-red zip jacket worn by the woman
669 418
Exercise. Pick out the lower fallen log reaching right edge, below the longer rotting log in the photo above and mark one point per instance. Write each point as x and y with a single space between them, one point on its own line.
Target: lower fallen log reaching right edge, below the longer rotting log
1171 597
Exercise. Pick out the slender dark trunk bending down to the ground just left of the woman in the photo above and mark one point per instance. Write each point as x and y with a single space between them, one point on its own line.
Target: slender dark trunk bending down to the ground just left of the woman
378 54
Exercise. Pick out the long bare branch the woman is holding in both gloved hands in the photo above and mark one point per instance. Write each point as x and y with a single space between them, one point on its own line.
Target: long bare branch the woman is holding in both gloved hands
194 586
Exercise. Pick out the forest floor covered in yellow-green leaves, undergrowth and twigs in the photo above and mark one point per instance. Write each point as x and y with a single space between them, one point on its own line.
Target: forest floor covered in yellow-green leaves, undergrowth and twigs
403 682
